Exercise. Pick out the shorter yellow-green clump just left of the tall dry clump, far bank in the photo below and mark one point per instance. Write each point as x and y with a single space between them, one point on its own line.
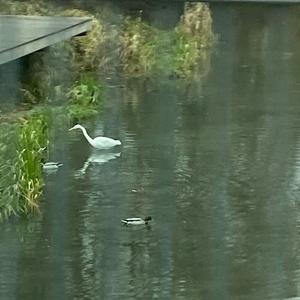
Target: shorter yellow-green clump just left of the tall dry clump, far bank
138 42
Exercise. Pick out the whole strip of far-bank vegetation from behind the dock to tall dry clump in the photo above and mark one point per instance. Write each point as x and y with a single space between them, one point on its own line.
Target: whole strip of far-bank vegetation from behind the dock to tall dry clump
142 49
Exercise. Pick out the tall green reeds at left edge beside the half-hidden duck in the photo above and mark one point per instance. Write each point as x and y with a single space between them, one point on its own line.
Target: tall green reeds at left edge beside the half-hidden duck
20 168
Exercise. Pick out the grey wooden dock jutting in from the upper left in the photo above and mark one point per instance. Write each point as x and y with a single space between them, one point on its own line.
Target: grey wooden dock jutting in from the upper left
22 35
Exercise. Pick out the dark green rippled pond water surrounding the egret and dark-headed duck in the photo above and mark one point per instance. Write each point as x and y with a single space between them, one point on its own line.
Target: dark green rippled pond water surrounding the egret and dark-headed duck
215 163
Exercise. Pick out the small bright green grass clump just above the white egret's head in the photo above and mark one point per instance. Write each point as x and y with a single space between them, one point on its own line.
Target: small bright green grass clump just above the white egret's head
85 98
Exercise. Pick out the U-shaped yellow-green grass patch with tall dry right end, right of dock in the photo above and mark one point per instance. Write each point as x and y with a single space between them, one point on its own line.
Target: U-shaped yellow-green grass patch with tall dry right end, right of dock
180 52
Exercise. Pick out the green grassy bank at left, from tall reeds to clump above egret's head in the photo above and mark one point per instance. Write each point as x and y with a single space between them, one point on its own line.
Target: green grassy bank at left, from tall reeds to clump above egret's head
26 142
